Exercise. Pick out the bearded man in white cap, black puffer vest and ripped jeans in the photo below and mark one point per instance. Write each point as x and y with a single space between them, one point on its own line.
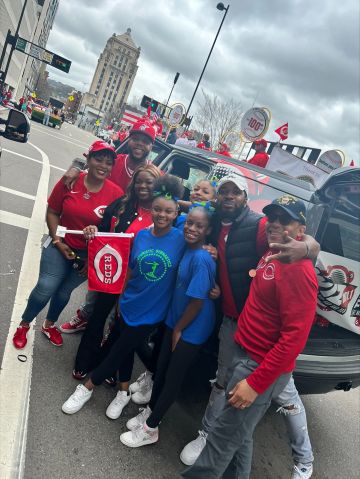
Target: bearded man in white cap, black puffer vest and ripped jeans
240 237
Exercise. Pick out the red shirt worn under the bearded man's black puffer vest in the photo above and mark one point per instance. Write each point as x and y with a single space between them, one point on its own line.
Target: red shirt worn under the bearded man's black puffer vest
228 303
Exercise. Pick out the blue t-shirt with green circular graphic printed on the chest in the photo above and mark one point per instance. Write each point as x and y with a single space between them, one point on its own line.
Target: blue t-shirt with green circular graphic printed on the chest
154 262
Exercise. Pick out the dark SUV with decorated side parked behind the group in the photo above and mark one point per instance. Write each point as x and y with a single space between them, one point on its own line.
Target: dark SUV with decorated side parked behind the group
331 358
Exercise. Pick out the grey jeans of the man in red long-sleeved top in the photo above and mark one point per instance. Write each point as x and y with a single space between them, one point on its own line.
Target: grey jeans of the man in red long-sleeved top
229 445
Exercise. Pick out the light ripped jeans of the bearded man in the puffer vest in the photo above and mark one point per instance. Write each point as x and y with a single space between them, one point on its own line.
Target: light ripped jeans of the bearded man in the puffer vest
295 419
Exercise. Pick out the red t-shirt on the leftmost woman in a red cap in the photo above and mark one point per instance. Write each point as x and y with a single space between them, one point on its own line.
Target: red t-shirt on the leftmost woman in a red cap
76 211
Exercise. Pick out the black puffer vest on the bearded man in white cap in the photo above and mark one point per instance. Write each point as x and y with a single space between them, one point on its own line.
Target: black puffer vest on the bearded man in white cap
241 253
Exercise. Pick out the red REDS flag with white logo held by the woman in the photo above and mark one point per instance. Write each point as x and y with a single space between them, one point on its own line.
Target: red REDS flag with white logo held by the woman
108 259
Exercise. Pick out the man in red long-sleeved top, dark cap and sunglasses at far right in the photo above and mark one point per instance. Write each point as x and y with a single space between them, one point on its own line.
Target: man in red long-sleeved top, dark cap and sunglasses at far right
273 328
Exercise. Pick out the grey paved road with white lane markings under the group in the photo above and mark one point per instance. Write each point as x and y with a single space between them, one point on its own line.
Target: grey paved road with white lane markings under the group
87 444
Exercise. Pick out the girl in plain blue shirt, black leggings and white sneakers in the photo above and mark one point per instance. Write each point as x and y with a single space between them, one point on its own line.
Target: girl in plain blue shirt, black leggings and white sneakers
189 323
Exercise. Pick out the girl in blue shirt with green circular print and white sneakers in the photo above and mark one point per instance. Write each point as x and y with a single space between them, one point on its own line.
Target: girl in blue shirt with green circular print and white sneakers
153 264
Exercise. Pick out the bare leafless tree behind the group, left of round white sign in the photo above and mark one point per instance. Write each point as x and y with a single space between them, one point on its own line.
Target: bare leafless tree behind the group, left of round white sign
217 117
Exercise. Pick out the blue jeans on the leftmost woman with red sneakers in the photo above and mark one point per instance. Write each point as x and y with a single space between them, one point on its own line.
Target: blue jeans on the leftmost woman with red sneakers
57 280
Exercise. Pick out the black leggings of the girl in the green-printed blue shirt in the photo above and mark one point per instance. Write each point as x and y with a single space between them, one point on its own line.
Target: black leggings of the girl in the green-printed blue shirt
121 355
